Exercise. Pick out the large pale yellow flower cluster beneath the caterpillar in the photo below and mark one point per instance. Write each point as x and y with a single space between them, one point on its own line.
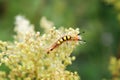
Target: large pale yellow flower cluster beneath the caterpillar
26 58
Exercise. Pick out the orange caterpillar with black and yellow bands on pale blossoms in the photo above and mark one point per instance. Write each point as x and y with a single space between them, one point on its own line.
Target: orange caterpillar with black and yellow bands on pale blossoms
64 39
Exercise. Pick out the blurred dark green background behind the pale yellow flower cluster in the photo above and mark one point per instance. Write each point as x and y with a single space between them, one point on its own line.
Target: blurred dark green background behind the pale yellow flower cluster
95 17
